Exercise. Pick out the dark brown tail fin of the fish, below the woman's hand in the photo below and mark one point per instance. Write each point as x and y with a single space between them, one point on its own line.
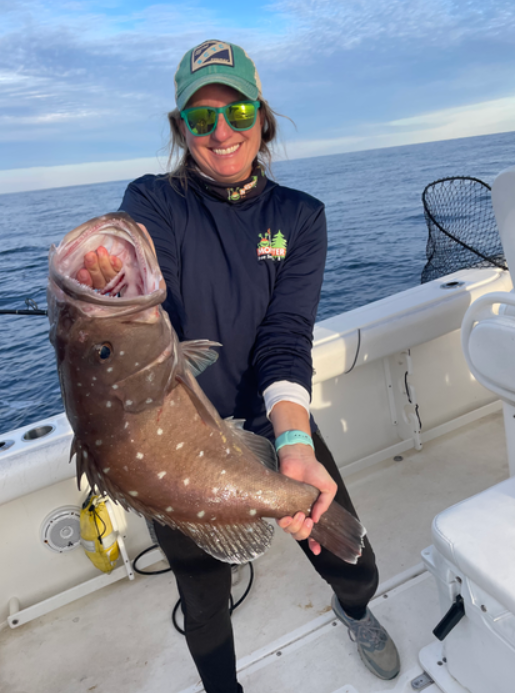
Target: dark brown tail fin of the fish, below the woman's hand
340 533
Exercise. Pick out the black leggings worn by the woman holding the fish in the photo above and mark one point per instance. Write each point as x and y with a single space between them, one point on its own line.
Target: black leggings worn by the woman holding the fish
205 584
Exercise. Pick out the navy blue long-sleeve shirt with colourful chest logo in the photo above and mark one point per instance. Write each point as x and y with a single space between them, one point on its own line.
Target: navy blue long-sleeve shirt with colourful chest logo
245 274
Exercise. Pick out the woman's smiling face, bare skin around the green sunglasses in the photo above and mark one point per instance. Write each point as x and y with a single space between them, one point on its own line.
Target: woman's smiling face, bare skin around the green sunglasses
225 155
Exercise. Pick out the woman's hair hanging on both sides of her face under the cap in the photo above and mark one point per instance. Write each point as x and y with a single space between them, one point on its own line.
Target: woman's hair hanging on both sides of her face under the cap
269 132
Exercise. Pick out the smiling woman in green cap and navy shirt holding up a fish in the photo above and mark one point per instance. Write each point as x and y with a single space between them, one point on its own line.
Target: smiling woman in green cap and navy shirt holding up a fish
243 259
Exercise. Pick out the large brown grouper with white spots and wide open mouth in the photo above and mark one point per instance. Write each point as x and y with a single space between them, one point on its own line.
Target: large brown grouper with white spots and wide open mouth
145 433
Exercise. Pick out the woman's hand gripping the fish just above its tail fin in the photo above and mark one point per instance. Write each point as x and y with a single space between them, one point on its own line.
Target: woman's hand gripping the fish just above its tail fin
299 462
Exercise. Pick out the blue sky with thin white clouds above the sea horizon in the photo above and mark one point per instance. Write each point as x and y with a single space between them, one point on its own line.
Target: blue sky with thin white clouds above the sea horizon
85 86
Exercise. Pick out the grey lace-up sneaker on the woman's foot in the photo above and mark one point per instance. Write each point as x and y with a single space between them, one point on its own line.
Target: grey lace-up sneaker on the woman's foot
375 647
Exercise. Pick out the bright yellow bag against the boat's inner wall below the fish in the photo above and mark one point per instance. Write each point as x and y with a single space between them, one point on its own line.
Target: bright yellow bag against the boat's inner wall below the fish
97 535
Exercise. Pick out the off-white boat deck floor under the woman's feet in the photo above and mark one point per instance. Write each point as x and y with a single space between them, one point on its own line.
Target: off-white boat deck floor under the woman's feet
121 638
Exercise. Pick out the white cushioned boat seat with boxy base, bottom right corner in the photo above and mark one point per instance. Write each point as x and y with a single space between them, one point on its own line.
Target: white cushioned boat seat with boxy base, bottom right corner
474 556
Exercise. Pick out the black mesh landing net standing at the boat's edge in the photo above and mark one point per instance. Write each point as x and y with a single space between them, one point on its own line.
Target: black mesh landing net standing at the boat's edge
462 228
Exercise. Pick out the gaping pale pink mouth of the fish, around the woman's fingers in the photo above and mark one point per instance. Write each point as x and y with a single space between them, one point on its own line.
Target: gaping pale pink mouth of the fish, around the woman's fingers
139 276
